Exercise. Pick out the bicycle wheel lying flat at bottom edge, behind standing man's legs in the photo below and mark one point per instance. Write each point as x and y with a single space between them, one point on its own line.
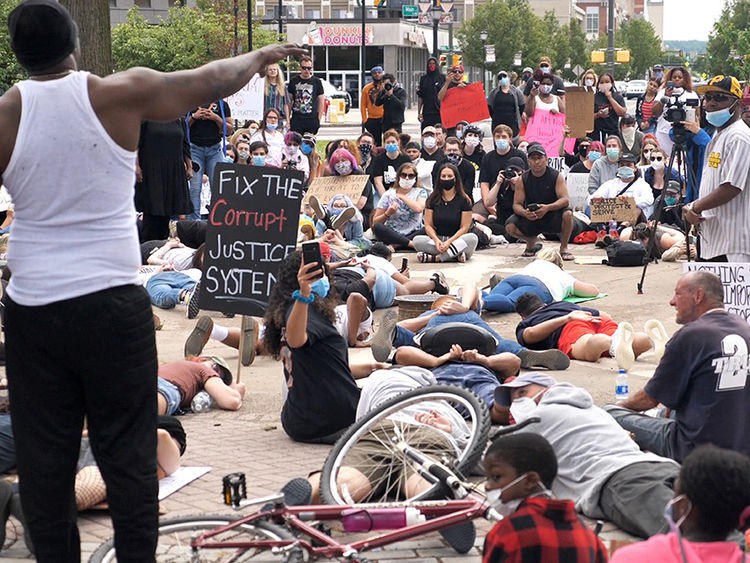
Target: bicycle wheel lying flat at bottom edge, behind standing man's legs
175 536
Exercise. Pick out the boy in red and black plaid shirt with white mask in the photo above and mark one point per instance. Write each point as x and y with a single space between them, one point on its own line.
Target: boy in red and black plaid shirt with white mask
535 527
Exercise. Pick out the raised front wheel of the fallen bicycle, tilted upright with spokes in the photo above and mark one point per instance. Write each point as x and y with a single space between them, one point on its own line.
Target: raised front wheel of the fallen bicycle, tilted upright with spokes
368 446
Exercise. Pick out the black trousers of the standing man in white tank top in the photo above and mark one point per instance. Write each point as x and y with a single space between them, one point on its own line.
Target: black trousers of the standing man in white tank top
93 356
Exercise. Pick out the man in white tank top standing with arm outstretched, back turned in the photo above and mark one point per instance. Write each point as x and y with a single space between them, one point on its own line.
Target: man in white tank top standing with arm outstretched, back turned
79 331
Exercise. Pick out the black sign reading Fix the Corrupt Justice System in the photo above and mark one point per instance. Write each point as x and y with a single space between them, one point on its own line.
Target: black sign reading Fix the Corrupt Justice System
252 227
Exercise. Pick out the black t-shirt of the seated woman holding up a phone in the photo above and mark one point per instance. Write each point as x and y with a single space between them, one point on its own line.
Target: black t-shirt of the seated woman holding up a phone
323 395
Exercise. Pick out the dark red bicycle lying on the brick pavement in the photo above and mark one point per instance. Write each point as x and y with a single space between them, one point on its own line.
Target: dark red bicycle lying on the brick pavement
289 534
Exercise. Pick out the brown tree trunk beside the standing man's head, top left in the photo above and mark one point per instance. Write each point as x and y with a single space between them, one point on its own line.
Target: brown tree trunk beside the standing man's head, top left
92 17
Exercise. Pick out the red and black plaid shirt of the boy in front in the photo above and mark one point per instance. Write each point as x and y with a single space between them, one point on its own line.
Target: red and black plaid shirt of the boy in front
543 531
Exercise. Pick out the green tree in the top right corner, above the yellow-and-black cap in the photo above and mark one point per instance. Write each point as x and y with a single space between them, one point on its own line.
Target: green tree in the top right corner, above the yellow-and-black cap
729 43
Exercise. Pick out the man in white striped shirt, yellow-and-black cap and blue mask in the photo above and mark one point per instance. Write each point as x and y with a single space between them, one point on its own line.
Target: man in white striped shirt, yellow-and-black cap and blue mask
723 207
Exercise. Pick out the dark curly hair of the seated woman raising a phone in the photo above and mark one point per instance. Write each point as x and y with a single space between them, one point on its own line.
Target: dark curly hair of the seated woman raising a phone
281 300
